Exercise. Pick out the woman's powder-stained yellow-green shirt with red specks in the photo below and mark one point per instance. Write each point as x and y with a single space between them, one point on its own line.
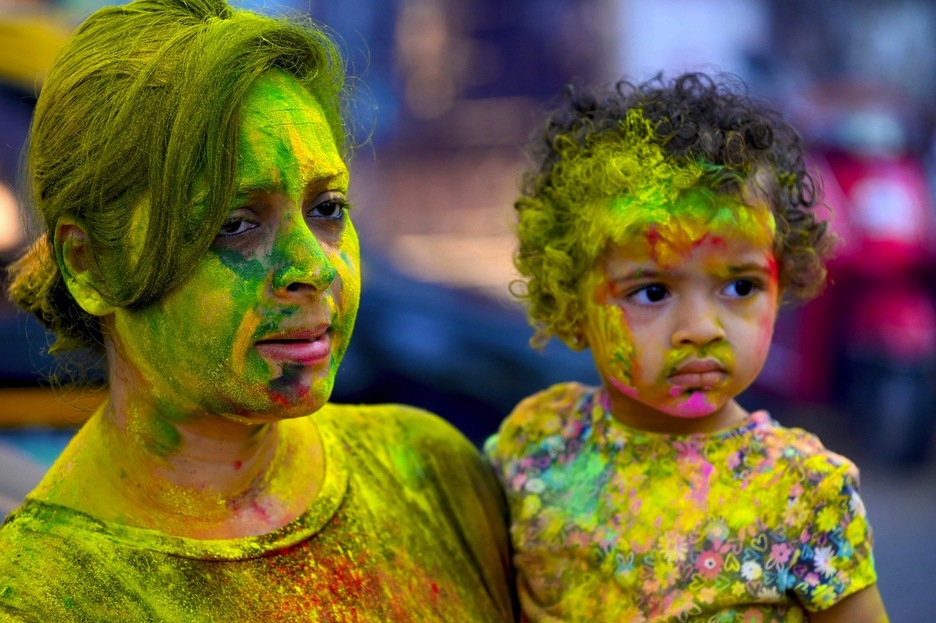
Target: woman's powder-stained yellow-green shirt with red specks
409 526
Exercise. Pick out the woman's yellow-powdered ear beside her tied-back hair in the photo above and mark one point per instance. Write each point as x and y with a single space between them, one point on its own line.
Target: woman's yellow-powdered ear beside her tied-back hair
72 248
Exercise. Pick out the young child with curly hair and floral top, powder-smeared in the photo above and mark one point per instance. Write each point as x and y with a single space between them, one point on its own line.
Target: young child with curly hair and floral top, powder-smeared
661 228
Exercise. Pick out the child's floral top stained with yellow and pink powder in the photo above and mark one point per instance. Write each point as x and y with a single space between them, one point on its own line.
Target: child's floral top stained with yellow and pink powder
758 523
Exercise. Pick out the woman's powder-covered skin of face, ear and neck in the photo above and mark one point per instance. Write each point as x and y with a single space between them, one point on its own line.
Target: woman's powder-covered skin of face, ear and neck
198 437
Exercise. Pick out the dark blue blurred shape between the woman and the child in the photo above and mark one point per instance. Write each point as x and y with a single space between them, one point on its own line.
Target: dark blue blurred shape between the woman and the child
447 350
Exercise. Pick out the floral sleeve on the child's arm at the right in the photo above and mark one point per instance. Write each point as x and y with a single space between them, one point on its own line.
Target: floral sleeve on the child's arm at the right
834 556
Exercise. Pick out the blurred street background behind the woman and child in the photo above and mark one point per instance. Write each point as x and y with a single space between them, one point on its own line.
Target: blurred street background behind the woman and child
448 91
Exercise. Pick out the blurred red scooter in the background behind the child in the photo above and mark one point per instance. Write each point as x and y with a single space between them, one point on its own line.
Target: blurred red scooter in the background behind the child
868 344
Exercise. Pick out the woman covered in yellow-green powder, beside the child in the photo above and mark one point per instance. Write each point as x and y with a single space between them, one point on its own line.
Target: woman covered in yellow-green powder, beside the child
187 161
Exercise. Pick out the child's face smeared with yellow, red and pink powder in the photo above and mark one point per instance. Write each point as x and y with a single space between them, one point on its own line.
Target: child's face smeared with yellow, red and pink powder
679 315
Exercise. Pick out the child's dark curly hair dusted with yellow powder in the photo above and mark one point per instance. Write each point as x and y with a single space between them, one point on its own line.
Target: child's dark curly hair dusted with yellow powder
655 142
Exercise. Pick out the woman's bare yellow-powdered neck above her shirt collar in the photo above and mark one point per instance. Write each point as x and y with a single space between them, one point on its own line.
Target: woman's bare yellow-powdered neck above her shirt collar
200 476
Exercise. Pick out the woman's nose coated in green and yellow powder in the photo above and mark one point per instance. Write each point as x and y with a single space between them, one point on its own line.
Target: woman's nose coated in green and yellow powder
300 260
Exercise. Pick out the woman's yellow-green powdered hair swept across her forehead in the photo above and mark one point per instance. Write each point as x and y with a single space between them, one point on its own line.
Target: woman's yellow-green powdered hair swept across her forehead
143 101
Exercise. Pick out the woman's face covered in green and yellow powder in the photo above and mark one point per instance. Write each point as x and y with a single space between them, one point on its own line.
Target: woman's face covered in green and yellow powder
258 329
